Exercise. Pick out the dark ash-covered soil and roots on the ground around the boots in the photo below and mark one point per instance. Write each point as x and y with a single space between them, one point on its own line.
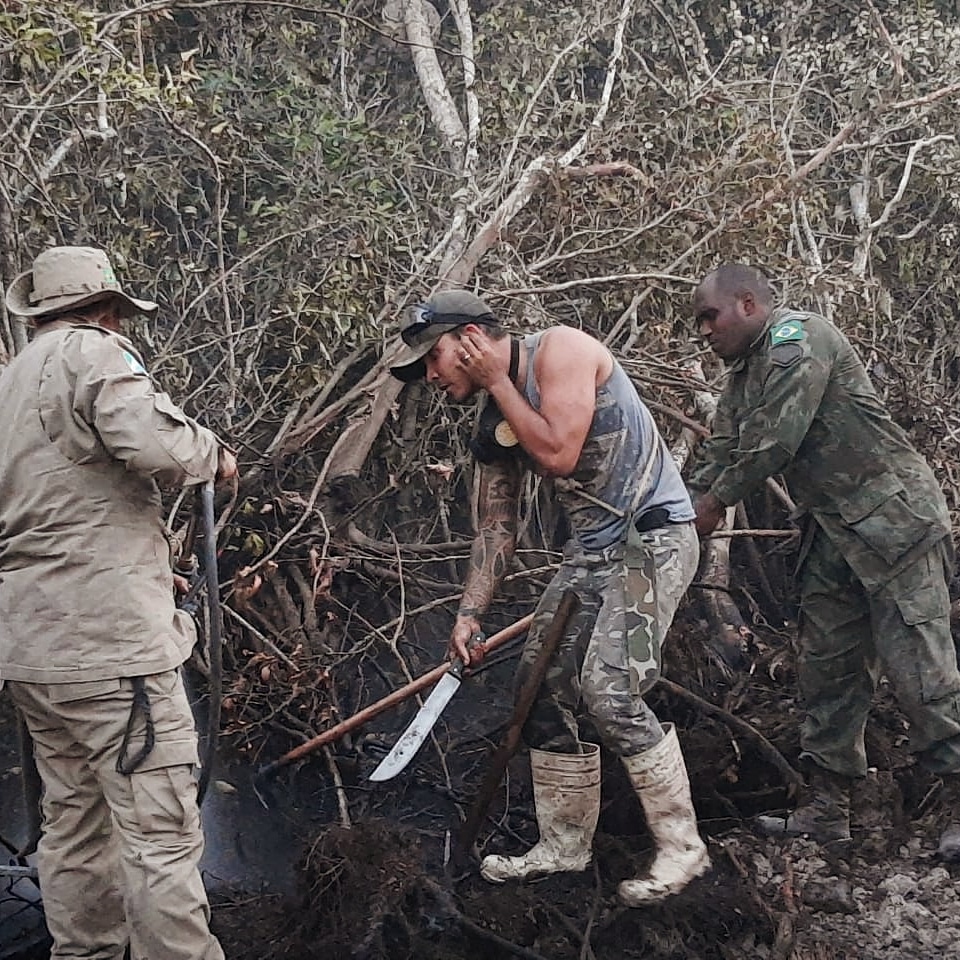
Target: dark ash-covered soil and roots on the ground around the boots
391 885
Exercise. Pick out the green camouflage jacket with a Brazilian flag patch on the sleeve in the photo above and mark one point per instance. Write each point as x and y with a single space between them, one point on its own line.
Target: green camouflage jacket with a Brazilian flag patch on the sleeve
801 403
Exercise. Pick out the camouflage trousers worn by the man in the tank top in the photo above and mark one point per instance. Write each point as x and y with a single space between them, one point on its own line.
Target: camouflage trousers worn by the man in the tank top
610 654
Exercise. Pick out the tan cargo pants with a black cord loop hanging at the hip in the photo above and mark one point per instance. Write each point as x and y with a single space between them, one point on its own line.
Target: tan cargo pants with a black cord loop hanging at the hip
118 856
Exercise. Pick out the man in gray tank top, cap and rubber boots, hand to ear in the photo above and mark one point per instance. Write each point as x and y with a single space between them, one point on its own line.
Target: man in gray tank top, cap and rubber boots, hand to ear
561 406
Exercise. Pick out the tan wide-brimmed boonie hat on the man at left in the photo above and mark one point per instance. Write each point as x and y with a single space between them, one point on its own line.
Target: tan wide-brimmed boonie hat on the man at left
64 277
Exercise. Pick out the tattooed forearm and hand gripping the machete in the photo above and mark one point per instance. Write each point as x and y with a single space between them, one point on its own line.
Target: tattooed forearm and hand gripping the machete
490 555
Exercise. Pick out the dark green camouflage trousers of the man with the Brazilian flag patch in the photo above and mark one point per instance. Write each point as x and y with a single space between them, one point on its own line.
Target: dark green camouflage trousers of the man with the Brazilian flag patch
848 638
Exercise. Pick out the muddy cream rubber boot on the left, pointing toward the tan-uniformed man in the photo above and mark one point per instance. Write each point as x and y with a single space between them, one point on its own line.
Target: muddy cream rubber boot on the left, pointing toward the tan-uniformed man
566 796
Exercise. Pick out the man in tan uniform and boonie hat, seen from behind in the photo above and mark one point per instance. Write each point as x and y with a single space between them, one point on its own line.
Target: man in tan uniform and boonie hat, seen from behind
91 641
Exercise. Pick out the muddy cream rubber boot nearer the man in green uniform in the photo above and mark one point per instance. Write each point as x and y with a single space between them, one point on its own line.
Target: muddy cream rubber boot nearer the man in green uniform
659 777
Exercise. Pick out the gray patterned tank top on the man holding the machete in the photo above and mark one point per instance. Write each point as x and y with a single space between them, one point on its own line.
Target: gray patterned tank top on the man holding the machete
622 437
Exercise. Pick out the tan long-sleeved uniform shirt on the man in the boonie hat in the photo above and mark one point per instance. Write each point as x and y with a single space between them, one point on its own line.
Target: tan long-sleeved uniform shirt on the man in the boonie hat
86 588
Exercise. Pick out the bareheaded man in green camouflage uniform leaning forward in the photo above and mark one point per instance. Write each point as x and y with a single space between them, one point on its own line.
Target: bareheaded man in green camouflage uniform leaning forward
877 554
